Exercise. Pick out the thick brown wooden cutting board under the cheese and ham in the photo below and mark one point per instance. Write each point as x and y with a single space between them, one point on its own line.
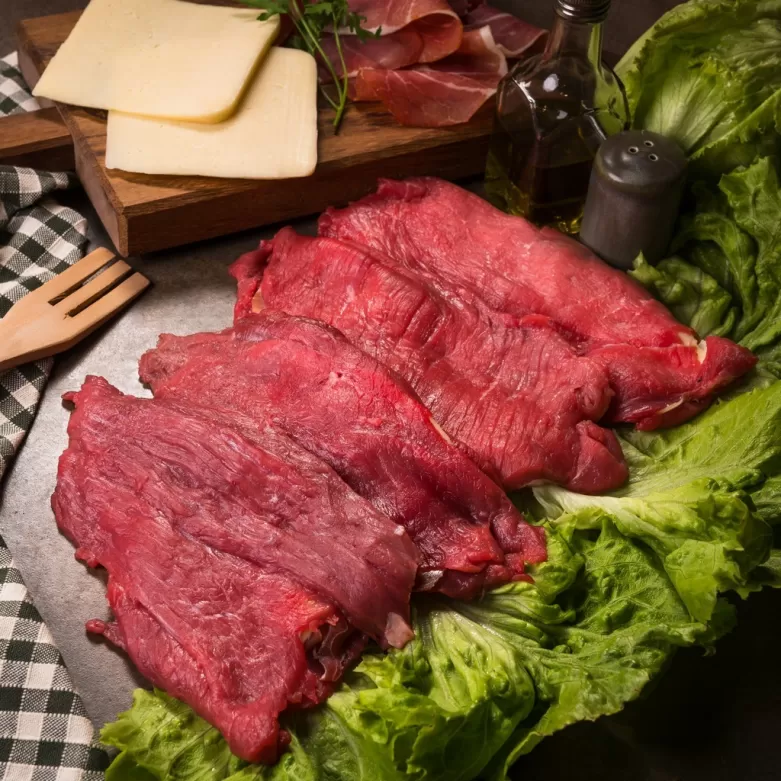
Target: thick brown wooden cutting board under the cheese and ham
147 213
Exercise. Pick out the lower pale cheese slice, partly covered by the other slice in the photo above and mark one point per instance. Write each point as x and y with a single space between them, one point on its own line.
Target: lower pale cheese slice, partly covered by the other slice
273 135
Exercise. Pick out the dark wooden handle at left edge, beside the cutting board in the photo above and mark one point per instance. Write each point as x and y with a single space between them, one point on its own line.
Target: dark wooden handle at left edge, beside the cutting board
37 139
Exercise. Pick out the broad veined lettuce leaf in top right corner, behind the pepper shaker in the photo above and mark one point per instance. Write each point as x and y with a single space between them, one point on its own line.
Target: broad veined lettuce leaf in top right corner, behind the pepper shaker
708 74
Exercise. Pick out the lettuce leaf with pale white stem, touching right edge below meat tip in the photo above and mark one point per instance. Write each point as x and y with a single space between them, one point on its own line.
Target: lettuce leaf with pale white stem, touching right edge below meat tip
690 497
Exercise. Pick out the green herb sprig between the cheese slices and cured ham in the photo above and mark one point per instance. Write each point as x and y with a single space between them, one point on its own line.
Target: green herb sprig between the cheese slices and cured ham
311 20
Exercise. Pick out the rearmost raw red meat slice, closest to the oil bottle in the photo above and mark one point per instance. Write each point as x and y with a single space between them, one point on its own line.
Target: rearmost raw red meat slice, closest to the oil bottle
660 374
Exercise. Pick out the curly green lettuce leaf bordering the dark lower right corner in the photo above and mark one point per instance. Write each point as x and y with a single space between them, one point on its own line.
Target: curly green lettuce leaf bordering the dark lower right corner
630 619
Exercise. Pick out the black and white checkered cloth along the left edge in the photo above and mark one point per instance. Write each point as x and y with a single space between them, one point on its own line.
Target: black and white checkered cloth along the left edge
45 734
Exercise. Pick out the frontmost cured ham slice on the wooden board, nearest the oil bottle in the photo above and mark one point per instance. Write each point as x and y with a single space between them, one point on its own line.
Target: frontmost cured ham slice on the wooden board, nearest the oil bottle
447 92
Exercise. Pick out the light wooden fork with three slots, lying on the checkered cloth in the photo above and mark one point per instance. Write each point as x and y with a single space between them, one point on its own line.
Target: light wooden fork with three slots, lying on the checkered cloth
64 310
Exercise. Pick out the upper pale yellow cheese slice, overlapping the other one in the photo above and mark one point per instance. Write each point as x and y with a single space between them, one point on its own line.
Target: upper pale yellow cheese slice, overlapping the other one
162 58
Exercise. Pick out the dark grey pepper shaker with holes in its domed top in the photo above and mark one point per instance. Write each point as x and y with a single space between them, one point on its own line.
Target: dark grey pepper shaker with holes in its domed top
633 198
